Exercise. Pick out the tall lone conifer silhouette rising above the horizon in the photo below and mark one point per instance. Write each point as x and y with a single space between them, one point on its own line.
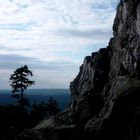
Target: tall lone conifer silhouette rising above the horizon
20 82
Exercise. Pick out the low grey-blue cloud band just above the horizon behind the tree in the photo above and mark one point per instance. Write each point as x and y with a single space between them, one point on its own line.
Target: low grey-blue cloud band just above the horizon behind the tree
45 74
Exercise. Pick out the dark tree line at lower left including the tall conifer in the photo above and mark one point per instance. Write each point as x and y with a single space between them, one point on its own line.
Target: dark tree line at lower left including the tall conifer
14 118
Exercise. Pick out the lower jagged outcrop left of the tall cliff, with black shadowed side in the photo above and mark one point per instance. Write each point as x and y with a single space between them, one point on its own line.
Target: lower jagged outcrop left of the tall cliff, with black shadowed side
88 85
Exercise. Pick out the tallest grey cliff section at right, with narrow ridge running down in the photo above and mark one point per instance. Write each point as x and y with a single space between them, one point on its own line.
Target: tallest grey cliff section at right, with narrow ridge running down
124 65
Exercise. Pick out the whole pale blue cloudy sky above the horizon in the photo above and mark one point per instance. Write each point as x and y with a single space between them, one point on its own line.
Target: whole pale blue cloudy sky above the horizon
52 37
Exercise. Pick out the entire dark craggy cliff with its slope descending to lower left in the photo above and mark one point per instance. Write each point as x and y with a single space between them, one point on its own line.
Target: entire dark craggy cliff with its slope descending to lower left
106 92
